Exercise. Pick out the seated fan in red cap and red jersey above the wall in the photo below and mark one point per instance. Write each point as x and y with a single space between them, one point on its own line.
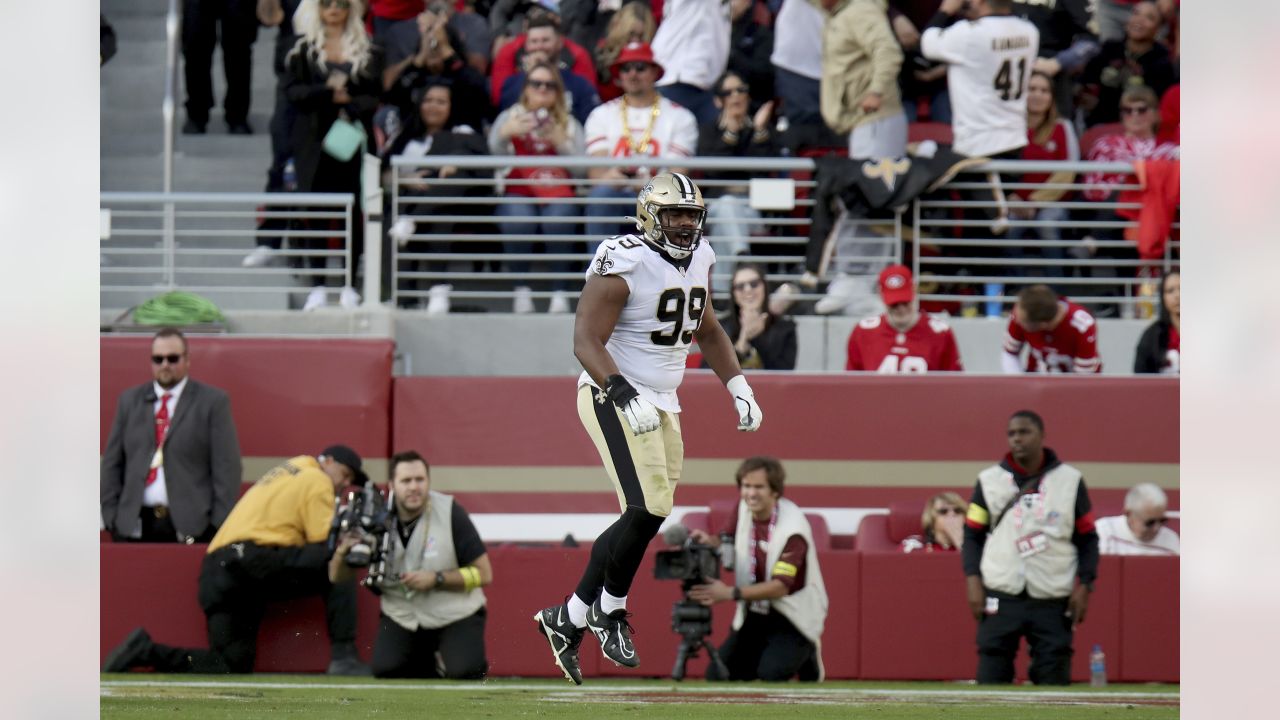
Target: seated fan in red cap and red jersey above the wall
903 340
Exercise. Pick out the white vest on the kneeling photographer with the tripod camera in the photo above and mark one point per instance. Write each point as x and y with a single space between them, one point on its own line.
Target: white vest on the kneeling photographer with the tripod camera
807 608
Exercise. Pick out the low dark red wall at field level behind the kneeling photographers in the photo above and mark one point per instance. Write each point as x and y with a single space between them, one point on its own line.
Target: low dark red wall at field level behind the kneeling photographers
892 617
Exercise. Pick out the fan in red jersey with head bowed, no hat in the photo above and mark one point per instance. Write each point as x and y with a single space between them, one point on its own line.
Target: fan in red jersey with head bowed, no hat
1062 335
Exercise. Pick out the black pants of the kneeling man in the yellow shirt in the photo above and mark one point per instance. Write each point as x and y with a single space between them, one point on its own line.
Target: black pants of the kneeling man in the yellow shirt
235 589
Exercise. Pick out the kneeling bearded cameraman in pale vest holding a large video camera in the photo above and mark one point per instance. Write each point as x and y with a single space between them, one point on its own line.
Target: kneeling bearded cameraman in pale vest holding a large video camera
433 610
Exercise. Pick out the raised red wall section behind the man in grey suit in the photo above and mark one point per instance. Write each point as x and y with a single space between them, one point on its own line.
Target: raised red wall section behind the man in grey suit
289 397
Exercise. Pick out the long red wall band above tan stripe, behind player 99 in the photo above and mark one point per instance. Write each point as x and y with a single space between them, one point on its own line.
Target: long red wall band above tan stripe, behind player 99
473 422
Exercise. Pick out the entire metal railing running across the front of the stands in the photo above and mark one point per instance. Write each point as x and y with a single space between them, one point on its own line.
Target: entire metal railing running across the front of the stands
196 241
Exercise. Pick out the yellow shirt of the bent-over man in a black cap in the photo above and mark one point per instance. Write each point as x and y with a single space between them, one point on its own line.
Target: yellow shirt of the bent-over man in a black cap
291 505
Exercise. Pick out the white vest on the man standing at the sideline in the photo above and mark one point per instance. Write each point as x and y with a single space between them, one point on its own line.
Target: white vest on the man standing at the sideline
1043 522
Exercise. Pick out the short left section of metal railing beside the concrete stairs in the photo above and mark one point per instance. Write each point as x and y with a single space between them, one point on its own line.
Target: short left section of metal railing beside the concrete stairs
196 241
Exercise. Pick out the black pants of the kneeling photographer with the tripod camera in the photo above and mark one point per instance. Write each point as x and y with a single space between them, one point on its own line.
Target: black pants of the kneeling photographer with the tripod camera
769 648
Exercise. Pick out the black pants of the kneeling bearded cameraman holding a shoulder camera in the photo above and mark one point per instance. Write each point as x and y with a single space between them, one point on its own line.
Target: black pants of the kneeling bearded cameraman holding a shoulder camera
412 654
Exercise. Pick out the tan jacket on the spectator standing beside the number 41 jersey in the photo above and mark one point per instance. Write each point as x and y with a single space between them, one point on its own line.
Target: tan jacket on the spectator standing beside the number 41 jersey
860 56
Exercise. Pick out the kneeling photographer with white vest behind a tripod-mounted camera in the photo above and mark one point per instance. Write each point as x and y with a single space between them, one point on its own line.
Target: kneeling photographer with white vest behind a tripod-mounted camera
781 599
